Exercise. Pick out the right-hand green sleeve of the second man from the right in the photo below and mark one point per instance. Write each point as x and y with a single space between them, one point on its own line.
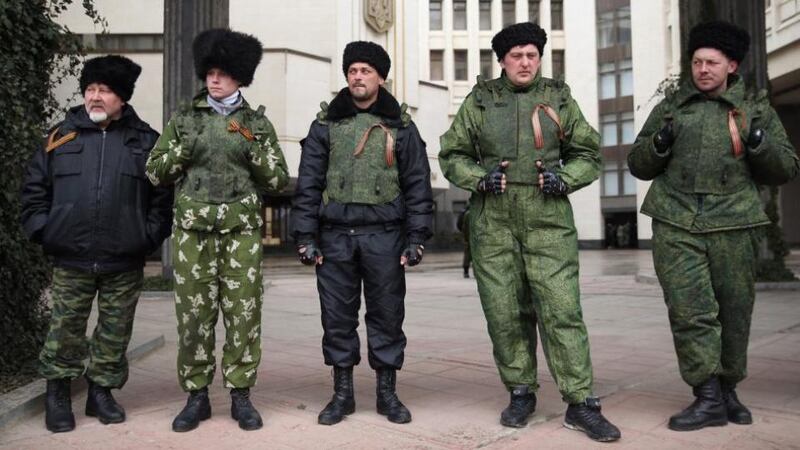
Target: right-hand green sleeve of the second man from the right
580 150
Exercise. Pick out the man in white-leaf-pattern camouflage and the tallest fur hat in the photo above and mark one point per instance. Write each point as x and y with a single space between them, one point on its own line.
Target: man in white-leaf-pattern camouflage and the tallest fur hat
221 155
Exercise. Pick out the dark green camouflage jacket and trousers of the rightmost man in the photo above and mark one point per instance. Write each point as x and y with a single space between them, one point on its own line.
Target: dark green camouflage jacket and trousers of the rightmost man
706 210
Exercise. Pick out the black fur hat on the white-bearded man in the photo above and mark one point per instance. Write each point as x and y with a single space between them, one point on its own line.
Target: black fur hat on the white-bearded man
117 72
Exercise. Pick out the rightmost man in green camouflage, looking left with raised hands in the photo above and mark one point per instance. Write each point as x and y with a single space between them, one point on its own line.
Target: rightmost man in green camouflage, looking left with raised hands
706 147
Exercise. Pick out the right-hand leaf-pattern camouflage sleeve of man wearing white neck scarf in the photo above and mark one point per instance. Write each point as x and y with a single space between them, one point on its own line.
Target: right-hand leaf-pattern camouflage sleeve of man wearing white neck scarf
267 164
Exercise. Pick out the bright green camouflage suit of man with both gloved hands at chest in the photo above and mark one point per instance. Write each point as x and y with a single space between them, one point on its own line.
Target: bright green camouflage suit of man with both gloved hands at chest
524 244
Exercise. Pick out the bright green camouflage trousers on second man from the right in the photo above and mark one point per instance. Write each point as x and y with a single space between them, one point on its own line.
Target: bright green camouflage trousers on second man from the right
525 259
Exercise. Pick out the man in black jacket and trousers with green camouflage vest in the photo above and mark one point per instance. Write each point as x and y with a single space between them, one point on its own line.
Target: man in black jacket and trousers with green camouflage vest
361 213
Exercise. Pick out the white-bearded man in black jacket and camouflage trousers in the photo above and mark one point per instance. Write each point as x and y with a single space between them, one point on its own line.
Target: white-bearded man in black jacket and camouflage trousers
87 201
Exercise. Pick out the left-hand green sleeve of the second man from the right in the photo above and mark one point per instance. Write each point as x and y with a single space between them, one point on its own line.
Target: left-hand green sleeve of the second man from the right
459 154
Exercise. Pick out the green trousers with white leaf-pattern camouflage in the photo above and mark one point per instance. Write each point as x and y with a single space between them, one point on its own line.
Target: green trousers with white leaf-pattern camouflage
216 271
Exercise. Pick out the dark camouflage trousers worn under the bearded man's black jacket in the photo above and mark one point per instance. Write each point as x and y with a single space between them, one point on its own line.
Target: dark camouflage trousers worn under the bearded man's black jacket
67 347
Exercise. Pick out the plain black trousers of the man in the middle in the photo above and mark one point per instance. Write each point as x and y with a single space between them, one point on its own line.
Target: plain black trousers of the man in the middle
371 257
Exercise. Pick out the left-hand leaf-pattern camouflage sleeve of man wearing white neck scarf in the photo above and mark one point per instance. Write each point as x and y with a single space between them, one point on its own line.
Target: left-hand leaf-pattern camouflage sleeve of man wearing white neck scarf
168 158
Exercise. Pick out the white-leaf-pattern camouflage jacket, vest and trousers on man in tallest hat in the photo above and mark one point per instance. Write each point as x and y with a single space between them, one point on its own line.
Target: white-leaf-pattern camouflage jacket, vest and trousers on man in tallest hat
220 170
